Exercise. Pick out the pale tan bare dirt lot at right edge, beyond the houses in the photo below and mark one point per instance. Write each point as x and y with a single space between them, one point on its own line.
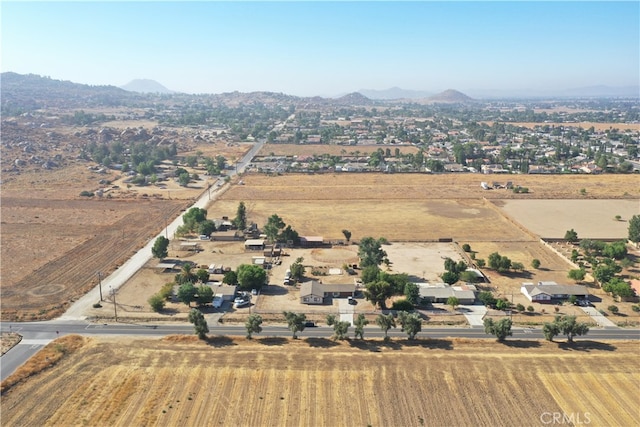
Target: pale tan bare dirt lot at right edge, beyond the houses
591 219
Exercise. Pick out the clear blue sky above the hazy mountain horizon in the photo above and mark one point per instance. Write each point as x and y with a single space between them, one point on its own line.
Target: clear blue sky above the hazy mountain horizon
327 48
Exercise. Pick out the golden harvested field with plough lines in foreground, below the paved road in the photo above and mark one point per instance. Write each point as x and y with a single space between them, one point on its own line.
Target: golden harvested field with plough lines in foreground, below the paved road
319 382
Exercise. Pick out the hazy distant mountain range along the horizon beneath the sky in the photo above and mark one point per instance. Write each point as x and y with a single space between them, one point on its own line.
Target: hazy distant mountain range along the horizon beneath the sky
24 92
